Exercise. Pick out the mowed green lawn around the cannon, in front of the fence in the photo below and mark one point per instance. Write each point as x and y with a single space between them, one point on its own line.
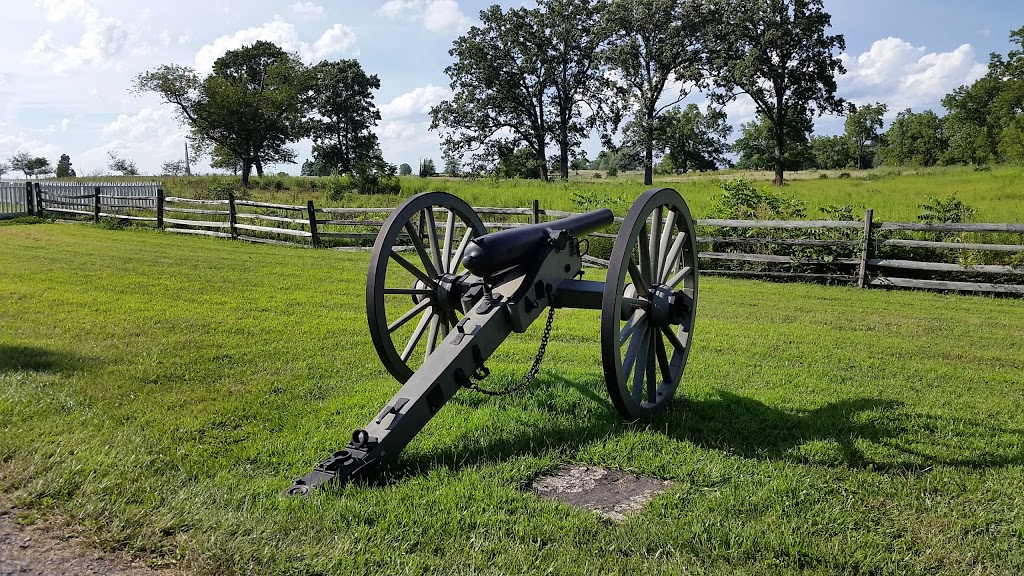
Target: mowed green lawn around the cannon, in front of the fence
160 392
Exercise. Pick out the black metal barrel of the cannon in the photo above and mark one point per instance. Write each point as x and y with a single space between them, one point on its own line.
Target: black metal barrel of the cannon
504 250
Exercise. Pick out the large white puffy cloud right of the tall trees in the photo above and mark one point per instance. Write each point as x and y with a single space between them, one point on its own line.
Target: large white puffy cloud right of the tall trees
903 75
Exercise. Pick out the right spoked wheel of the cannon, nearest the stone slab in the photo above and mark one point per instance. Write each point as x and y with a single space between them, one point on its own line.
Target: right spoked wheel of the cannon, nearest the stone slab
650 304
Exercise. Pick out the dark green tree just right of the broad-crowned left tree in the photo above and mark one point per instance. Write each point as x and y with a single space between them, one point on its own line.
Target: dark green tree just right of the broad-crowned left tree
344 116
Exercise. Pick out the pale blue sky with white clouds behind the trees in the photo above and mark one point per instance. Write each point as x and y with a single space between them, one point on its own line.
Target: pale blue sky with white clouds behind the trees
67 67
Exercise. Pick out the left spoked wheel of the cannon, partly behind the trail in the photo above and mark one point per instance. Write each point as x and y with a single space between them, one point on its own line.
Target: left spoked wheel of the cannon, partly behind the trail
419 249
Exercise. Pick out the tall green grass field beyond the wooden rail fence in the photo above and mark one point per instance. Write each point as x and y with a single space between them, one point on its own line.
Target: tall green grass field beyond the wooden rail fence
998 195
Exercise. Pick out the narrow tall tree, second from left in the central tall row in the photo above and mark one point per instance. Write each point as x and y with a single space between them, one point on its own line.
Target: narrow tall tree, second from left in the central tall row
574 35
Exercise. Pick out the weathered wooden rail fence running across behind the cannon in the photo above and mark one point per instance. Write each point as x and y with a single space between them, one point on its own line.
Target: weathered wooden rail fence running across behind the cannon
968 258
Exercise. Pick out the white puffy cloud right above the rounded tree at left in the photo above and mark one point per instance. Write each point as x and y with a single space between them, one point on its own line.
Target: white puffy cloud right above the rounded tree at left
337 39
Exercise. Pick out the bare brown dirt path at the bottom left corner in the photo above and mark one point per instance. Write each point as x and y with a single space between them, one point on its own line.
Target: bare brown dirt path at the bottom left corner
48 551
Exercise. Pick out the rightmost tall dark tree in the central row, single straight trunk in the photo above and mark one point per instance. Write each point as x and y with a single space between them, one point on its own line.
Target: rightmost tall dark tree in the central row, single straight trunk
779 54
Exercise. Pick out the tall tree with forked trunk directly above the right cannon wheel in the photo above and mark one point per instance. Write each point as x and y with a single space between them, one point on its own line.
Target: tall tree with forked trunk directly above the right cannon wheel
653 44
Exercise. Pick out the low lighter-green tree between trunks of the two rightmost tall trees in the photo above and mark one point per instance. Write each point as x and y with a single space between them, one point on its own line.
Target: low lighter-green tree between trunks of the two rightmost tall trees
692 140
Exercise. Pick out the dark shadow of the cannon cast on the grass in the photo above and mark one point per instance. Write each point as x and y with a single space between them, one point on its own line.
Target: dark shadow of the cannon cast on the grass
897 439
